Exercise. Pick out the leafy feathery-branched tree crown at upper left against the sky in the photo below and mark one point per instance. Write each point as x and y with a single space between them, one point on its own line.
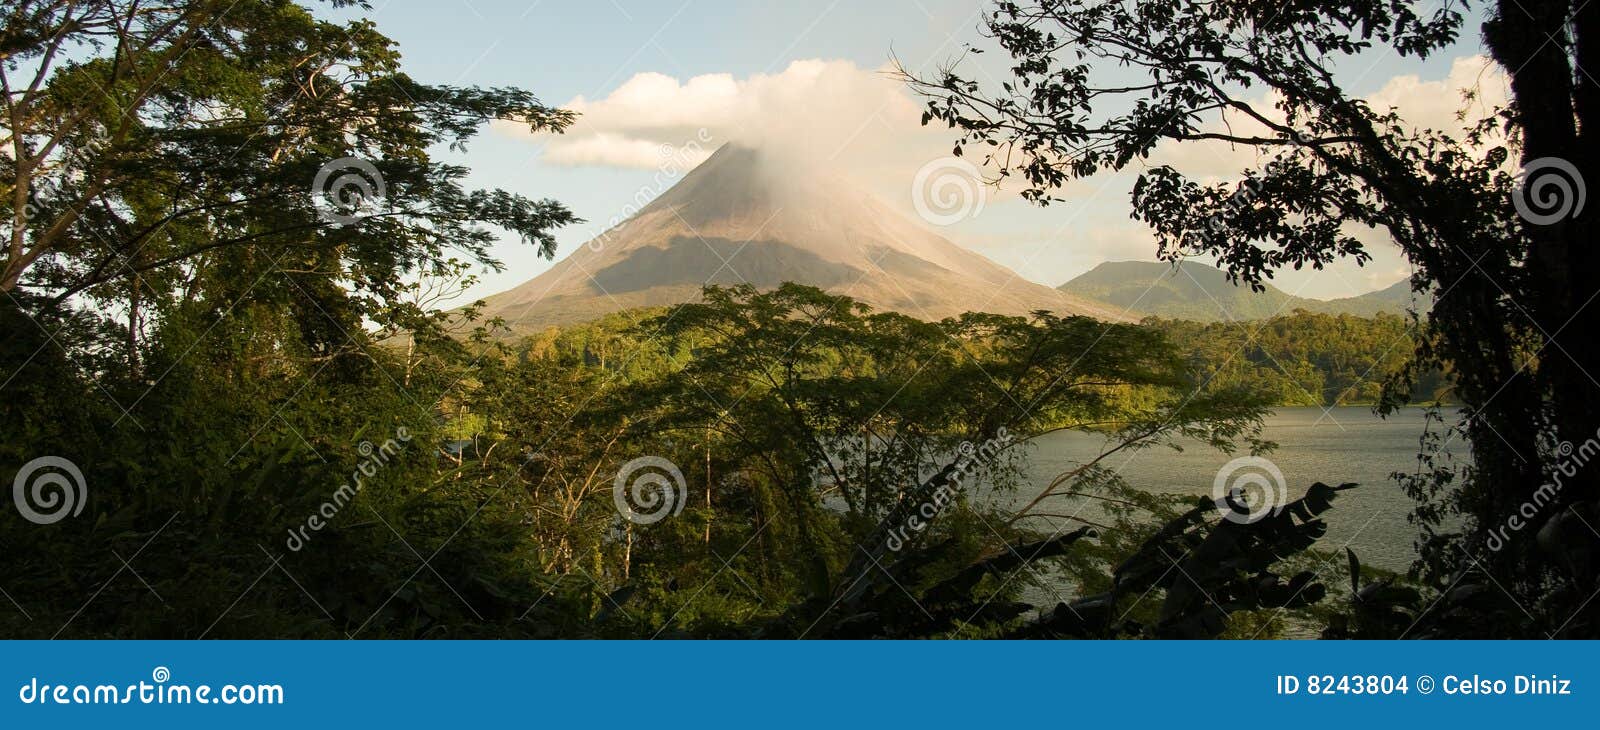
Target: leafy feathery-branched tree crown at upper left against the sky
158 148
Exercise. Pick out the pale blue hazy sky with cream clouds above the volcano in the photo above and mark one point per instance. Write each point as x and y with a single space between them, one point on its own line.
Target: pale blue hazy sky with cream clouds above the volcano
809 76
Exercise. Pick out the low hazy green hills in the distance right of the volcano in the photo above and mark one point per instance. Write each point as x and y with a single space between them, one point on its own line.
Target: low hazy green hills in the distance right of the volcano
1202 294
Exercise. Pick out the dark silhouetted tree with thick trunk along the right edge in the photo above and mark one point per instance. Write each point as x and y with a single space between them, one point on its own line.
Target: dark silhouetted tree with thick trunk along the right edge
1097 86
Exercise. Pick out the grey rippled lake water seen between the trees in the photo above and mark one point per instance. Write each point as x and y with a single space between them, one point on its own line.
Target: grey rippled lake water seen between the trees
1346 444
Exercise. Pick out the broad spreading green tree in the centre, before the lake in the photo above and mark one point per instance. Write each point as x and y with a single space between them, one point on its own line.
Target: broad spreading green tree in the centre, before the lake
908 430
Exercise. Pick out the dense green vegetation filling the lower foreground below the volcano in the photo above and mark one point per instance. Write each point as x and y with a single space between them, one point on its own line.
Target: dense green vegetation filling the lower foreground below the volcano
801 422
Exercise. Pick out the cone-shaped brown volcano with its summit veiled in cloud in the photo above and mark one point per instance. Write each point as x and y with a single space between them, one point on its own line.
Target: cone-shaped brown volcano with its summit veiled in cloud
743 219
